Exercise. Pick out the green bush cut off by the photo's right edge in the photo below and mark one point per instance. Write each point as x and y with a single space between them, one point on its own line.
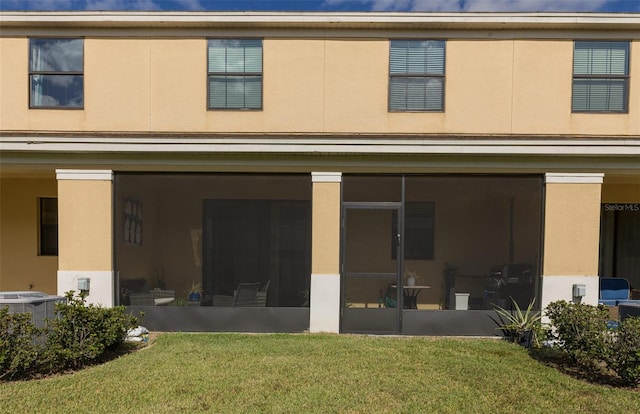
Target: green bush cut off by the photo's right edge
625 356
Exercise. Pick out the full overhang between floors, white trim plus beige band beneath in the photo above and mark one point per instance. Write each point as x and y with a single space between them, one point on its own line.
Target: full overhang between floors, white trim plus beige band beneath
22 153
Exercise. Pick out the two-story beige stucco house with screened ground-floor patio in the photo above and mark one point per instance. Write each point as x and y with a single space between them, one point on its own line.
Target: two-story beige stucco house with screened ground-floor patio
319 160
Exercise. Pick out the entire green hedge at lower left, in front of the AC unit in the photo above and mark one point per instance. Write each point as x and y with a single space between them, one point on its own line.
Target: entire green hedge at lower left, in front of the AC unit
80 334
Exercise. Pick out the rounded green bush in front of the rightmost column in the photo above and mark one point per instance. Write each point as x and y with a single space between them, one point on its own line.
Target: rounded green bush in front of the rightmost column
581 331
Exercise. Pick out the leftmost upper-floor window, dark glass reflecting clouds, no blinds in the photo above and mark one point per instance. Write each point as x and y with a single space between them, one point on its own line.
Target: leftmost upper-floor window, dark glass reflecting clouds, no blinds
56 73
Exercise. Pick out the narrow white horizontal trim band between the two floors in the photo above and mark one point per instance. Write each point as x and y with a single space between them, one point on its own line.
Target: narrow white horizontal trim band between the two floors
336 144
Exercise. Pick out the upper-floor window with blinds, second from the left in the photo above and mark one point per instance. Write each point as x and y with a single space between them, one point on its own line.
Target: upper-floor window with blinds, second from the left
235 73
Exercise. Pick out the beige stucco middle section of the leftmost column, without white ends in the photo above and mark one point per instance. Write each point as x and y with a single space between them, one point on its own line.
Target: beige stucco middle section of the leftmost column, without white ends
85 223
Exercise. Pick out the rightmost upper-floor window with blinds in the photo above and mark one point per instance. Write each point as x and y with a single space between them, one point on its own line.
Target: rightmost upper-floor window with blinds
600 76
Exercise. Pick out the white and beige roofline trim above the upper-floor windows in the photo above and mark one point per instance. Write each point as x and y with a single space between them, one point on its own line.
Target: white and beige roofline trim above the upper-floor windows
321 24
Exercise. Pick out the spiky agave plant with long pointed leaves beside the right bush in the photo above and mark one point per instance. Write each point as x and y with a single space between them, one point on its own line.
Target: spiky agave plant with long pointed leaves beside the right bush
517 325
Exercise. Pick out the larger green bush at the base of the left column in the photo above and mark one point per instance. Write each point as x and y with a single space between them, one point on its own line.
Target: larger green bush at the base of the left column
81 333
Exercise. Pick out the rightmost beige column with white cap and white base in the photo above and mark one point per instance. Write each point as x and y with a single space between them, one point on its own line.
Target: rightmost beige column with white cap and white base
571 236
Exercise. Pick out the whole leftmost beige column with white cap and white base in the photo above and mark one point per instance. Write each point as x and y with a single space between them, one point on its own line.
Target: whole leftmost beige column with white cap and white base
85 215
